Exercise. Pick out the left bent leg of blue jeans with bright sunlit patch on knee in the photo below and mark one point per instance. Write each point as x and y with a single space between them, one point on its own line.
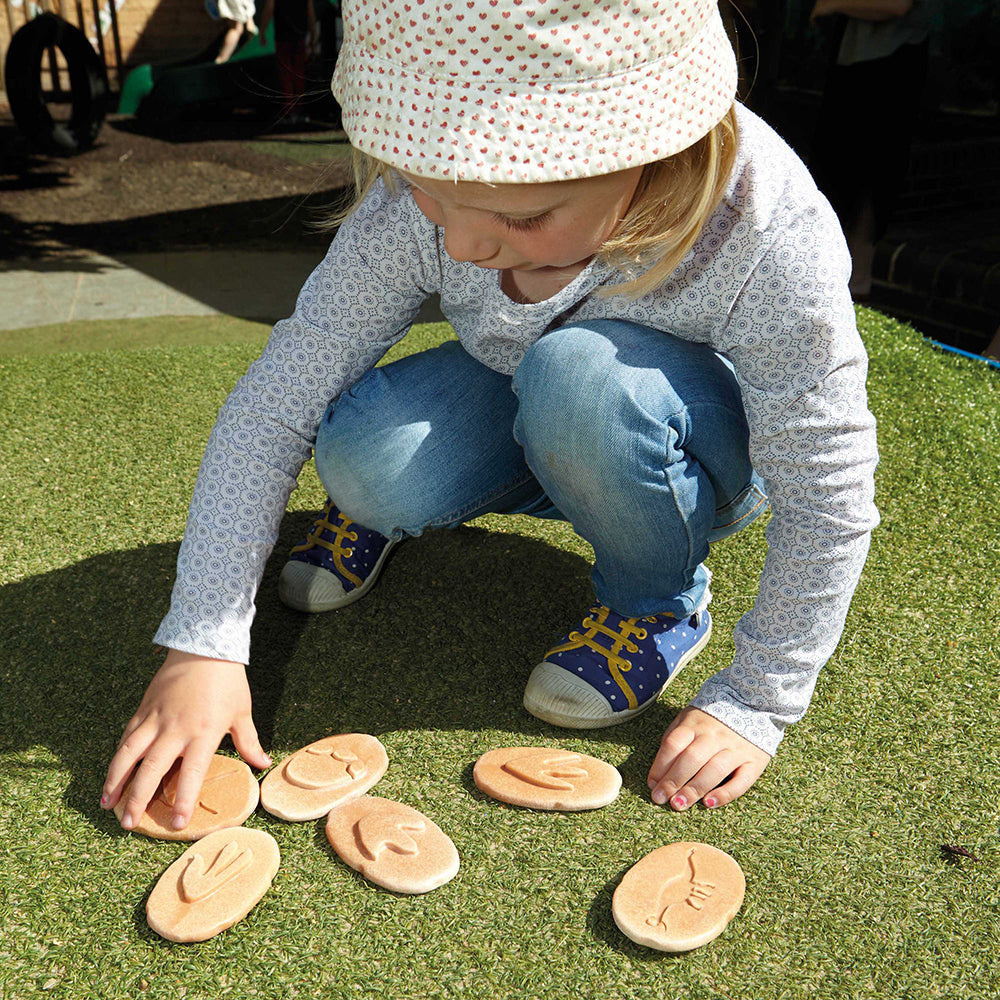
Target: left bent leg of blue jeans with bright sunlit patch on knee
424 442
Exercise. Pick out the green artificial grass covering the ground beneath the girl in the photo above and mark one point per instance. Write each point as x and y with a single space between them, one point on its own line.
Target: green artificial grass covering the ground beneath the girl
848 892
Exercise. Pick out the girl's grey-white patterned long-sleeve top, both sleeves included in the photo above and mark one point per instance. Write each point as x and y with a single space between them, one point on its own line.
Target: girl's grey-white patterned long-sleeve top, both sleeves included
765 285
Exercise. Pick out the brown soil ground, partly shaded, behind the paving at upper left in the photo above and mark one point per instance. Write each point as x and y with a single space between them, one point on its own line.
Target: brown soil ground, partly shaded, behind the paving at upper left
203 185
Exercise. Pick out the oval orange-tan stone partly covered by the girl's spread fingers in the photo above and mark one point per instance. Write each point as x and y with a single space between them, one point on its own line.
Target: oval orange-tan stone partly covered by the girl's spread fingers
229 794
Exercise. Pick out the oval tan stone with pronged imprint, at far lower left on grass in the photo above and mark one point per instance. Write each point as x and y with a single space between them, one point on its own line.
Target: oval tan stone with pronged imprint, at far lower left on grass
213 884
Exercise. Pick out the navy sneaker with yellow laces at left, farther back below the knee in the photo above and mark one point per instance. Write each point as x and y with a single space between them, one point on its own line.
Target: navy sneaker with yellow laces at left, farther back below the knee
337 564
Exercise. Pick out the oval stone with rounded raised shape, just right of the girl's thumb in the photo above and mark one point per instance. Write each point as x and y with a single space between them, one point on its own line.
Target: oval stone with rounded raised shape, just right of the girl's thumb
327 773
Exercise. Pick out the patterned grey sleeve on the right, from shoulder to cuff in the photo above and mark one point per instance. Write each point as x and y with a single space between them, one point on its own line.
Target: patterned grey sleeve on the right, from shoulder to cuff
793 340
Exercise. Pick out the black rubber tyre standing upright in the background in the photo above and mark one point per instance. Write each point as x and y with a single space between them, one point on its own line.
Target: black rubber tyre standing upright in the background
88 85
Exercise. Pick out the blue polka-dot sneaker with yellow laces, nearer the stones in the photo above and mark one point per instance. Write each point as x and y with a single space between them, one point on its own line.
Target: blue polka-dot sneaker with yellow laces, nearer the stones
612 668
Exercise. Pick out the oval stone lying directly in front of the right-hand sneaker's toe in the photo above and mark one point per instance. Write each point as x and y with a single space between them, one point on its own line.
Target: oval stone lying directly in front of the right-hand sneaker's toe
543 778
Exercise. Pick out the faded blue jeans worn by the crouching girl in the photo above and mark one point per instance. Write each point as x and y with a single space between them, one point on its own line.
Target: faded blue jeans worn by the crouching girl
637 438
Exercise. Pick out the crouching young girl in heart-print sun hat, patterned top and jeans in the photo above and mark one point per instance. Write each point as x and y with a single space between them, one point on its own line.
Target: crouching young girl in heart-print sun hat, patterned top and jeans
654 331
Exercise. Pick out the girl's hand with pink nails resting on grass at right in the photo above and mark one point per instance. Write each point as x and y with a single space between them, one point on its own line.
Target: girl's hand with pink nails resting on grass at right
701 758
